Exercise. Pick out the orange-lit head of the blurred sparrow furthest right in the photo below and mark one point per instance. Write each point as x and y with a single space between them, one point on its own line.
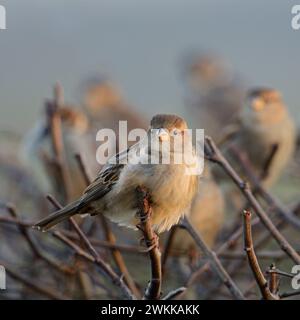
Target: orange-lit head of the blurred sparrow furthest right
264 106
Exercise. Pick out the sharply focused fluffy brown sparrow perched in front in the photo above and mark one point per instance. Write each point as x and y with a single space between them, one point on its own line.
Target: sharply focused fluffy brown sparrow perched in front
113 192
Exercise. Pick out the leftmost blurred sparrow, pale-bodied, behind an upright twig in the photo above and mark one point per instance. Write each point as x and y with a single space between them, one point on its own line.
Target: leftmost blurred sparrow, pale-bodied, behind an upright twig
36 147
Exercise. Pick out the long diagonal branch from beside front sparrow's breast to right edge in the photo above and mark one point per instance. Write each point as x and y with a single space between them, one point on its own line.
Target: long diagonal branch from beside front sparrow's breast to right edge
215 155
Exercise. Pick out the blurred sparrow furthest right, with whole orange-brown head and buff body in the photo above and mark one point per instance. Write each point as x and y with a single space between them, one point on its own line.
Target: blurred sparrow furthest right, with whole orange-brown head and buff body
265 122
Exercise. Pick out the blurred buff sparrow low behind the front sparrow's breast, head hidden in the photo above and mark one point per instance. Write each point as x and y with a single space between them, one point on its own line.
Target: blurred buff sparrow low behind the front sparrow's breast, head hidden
206 215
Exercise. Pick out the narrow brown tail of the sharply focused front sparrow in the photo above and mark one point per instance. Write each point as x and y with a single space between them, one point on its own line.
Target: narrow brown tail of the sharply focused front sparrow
59 216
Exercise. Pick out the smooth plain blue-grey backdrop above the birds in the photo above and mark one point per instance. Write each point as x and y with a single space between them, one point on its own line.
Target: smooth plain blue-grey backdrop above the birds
140 45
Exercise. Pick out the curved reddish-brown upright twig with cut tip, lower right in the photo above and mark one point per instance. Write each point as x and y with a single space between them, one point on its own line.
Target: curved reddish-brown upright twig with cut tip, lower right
253 262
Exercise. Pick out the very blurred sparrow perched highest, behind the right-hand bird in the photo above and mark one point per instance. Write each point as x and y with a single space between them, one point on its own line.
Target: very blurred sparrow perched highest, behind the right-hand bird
213 94
